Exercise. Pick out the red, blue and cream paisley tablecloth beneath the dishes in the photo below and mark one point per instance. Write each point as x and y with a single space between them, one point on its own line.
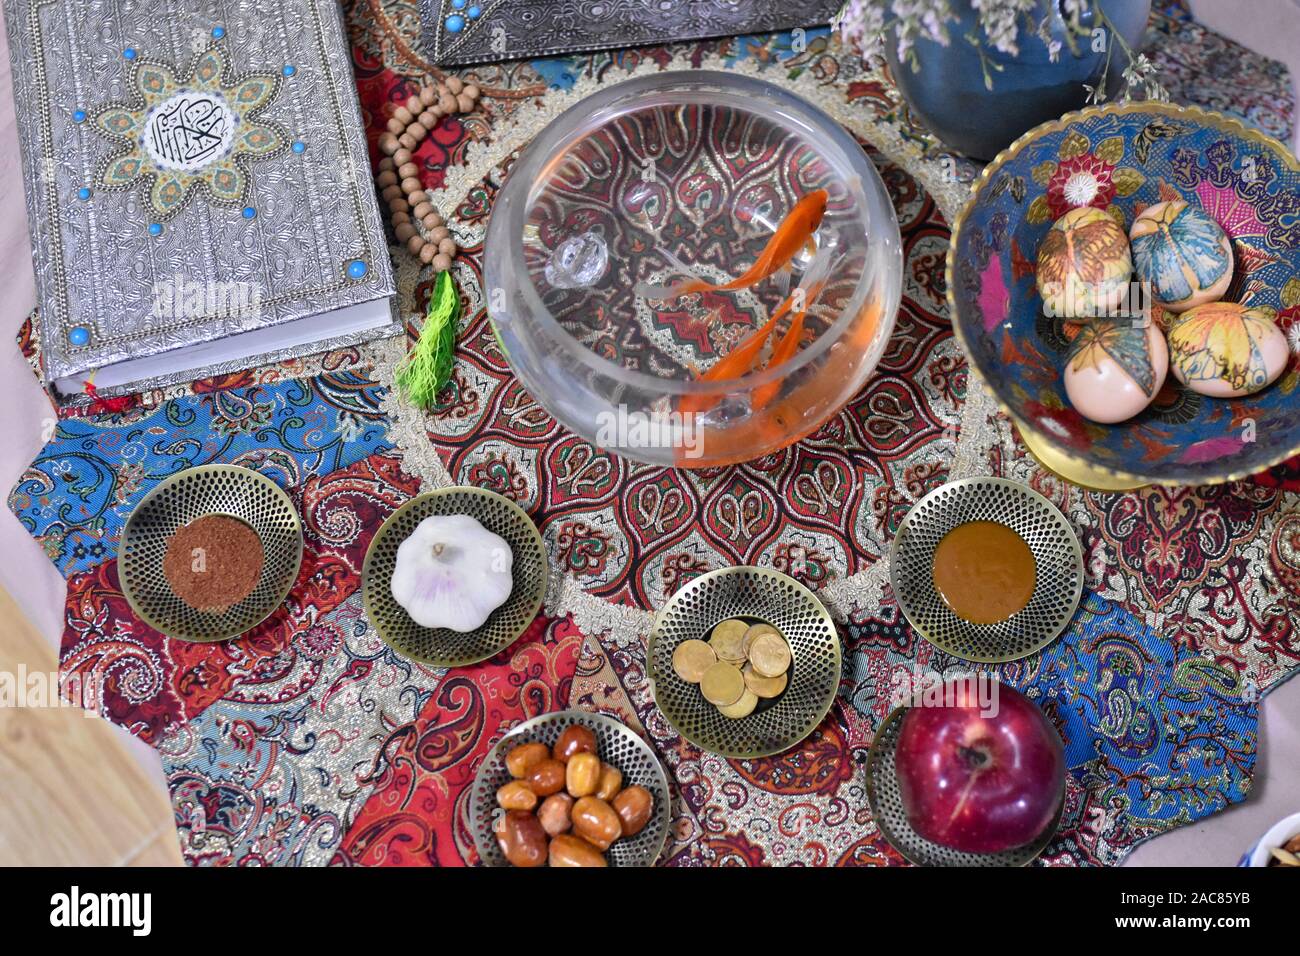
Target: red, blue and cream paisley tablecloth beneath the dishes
310 742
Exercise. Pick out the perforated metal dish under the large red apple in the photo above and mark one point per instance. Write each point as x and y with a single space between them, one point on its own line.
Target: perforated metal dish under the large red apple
886 804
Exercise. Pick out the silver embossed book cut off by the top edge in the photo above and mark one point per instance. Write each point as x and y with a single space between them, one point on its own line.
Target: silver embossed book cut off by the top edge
457 33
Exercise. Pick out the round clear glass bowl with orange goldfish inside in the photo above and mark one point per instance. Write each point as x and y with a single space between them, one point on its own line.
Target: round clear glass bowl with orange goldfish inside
694 269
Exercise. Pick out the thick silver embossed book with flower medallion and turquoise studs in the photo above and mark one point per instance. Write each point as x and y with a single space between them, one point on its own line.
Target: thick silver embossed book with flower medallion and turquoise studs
200 194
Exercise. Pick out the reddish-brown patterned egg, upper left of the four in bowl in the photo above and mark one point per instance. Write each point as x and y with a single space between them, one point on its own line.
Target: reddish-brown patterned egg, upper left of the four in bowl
1084 266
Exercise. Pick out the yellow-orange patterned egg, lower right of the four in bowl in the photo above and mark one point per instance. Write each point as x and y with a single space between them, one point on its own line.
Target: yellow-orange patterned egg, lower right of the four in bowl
1225 351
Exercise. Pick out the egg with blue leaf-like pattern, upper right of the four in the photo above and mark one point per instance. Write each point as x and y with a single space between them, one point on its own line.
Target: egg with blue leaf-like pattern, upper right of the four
1184 253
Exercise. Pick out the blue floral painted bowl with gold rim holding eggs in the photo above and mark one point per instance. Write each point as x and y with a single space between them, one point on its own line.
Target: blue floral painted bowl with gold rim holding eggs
1129 157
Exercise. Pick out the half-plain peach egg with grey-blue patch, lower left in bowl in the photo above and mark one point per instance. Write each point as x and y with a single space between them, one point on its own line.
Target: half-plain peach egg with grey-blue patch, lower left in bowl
1115 370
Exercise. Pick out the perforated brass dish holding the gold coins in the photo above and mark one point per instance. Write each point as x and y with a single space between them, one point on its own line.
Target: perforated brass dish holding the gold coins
756 595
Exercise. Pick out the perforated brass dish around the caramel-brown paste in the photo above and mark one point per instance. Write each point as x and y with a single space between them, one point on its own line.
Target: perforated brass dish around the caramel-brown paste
1058 557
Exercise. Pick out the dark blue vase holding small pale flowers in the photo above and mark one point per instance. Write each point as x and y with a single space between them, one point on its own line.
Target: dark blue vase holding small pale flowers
948 93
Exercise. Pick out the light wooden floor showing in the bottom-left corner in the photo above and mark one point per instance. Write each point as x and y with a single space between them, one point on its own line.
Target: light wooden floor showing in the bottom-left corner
71 793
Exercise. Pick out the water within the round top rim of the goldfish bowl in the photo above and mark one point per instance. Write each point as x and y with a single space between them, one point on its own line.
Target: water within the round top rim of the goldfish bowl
696 240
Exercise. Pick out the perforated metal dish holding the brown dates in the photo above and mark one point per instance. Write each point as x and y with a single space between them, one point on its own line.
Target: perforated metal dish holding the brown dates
617 745
